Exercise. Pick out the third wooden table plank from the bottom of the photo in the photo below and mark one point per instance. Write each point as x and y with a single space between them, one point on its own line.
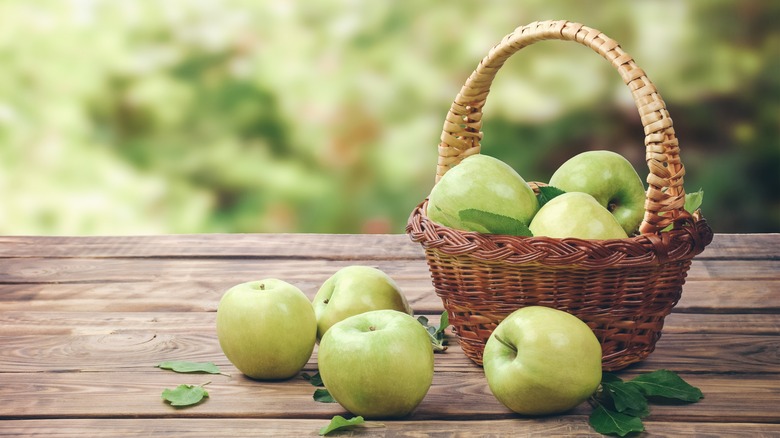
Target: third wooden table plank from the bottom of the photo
105 348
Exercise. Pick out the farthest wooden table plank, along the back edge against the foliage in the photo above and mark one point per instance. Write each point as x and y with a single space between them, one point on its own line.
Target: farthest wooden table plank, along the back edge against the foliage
342 246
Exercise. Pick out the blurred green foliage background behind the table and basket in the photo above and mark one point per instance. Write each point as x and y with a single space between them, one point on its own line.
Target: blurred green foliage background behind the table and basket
147 117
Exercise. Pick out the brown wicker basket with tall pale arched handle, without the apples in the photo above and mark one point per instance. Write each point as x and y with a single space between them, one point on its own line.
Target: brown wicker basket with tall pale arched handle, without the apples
622 288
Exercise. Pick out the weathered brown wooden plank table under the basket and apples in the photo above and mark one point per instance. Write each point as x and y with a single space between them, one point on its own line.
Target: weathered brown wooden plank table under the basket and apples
84 321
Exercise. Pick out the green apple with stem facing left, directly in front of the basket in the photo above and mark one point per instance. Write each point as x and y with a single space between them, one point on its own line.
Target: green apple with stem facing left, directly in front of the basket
541 361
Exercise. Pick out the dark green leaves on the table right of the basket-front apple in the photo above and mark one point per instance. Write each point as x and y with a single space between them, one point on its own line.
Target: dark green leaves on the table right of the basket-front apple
619 406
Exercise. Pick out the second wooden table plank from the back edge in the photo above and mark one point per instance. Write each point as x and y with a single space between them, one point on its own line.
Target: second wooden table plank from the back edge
84 270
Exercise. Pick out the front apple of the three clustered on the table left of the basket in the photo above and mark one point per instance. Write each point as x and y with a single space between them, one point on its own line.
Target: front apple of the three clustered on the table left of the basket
377 364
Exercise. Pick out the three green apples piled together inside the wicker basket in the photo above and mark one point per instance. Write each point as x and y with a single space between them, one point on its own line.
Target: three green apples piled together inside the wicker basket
599 196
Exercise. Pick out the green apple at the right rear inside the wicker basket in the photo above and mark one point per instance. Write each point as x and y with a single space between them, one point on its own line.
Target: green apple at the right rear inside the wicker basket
611 179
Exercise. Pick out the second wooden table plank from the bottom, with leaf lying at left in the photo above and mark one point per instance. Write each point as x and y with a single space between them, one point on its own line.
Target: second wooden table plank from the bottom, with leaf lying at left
456 396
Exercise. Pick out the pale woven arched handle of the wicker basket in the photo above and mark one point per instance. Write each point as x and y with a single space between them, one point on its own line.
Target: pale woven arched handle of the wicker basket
461 135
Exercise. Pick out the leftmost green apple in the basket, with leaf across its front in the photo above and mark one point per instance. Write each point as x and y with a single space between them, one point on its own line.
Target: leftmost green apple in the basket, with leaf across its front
483 194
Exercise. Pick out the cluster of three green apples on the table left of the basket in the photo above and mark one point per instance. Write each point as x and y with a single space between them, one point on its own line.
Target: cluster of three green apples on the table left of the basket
374 357
